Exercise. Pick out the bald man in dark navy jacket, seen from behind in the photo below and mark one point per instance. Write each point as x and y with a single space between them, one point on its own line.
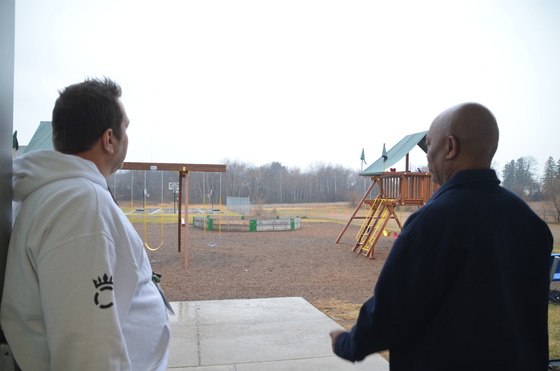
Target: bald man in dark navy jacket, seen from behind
465 286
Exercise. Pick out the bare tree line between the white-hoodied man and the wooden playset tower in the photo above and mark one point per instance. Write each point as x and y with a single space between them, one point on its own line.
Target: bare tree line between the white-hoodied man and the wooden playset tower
270 183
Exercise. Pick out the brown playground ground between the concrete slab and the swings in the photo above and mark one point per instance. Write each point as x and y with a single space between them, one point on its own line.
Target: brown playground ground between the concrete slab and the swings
304 262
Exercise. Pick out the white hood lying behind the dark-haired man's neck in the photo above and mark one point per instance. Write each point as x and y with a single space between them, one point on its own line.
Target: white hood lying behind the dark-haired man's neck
33 170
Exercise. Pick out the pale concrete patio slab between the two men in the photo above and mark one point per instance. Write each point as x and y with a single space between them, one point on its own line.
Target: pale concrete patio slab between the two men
256 334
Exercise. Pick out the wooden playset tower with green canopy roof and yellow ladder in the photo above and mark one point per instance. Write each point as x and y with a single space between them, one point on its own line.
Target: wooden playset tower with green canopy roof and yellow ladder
396 188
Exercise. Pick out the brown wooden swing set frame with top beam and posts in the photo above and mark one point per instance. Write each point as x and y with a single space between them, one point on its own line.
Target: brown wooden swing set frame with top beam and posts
183 170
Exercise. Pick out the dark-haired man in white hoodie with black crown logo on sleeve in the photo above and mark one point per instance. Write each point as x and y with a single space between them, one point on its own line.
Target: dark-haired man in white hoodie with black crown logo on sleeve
78 292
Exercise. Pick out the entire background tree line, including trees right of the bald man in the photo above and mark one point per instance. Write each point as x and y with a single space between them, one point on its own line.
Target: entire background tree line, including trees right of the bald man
276 183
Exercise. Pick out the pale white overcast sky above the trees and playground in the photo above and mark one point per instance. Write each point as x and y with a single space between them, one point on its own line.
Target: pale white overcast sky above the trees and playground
298 82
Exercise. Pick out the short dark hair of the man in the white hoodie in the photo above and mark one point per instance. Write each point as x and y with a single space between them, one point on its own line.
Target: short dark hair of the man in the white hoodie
83 112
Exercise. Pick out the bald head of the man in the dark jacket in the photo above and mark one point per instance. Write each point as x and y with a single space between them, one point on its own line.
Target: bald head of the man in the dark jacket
462 137
